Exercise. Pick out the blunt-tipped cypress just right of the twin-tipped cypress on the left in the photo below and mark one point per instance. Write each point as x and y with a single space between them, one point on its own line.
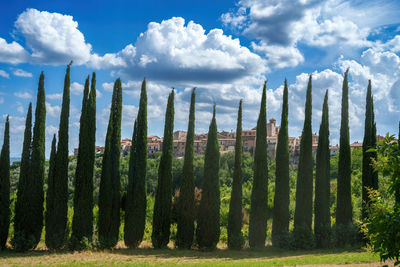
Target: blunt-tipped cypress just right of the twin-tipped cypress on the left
109 195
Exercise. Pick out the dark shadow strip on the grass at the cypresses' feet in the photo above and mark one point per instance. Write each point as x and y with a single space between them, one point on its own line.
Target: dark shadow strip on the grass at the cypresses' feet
266 253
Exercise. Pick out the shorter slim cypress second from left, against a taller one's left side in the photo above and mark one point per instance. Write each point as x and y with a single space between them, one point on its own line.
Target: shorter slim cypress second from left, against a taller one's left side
18 241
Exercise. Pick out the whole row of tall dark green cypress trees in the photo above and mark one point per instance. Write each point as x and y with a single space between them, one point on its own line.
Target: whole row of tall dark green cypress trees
197 213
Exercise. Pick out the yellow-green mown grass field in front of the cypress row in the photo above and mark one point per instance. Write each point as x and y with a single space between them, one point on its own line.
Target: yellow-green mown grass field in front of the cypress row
146 256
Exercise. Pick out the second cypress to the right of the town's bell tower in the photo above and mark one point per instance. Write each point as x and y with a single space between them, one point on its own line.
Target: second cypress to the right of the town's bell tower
304 187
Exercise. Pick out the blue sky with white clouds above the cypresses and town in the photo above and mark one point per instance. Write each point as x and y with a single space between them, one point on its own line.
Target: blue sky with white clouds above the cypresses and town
224 48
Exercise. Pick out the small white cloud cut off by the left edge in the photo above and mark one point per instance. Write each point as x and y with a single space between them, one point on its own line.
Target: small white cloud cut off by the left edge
12 52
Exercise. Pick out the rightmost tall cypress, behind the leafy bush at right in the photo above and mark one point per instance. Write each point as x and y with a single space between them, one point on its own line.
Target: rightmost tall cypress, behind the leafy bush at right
369 176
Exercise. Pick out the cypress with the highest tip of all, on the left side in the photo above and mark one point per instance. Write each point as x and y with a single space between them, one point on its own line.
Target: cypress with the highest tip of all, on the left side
56 212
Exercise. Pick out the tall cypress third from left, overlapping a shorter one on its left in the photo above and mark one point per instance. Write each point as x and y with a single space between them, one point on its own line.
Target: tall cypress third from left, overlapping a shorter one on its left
27 234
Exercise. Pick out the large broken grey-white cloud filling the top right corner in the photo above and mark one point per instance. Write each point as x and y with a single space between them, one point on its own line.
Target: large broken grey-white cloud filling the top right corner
280 26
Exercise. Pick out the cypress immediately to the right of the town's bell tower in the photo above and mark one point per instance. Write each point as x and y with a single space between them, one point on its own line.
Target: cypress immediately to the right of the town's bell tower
280 222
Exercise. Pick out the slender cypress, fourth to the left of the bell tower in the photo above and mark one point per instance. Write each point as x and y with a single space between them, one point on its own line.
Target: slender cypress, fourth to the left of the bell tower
186 211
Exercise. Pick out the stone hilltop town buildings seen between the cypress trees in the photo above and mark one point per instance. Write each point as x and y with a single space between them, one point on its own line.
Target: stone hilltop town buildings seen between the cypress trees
227 143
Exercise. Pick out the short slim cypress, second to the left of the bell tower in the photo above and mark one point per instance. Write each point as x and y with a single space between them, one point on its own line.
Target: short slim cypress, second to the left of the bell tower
235 217
